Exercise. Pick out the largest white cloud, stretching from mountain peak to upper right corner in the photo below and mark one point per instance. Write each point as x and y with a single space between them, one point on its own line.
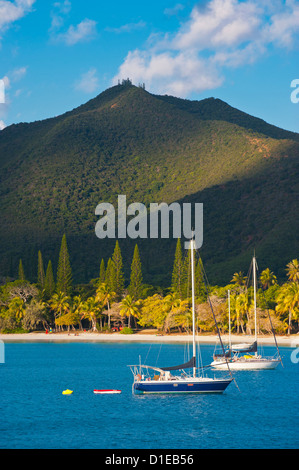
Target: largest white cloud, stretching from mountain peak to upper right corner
221 35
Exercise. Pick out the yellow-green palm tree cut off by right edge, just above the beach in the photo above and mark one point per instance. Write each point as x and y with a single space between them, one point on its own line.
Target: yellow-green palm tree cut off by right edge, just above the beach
288 302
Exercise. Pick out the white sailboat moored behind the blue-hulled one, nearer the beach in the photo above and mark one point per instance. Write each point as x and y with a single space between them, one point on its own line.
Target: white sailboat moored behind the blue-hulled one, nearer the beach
239 356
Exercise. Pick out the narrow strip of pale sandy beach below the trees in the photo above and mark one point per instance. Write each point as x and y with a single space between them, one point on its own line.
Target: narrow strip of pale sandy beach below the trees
142 336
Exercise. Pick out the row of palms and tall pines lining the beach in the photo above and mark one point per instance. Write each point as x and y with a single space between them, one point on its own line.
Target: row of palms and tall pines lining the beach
107 299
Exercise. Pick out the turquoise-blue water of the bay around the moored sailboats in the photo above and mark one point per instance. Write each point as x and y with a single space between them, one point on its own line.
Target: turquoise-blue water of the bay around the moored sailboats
35 415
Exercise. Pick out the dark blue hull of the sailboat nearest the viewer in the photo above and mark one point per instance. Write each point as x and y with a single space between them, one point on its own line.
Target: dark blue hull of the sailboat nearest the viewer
182 386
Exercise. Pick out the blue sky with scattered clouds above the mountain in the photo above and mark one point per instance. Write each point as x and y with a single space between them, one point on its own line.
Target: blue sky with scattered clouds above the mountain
57 55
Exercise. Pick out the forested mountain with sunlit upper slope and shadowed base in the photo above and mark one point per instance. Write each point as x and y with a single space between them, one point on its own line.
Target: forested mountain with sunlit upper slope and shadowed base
53 174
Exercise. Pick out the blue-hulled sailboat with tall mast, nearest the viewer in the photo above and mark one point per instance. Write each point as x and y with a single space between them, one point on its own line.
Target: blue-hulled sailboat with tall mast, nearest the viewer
175 379
